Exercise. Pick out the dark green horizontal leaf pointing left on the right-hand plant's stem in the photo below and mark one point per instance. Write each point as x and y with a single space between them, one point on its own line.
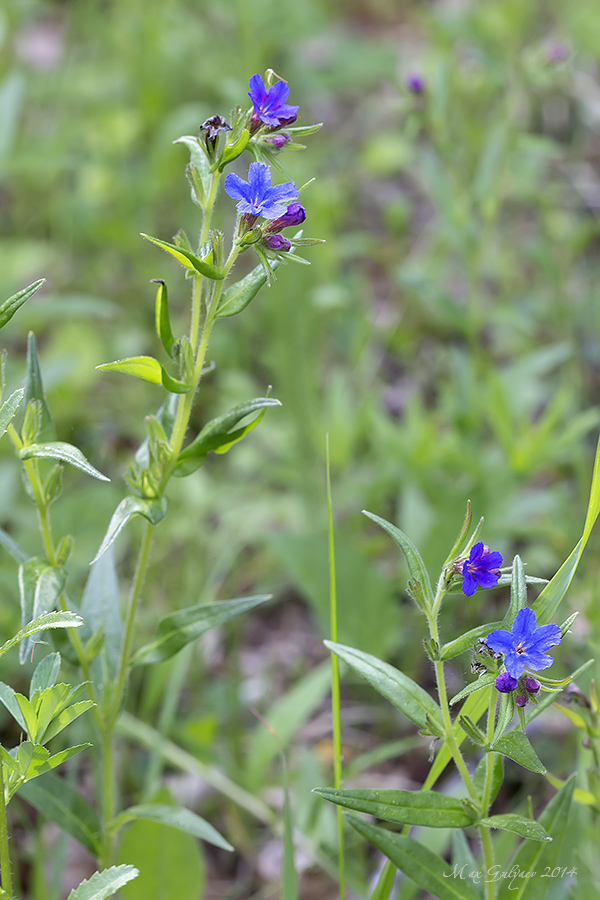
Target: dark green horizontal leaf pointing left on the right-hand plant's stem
405 807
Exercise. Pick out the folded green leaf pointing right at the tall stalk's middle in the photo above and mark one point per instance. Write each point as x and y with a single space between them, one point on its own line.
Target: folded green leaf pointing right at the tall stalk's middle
218 436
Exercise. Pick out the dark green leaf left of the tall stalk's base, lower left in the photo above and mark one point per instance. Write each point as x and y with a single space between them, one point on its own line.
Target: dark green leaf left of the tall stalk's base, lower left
60 803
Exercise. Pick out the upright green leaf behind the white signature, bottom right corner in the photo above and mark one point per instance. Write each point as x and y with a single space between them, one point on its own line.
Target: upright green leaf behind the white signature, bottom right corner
531 857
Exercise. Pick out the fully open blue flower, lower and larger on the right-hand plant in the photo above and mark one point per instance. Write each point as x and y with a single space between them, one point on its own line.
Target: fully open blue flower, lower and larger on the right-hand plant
525 645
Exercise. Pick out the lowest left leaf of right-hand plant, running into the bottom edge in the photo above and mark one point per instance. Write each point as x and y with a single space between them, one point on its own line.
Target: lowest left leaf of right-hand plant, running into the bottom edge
425 868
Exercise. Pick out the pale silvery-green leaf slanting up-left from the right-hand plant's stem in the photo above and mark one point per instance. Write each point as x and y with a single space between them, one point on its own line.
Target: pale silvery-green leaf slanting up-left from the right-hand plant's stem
405 694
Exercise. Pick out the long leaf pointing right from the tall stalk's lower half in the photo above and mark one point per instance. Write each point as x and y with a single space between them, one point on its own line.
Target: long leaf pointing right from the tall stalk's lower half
179 628
